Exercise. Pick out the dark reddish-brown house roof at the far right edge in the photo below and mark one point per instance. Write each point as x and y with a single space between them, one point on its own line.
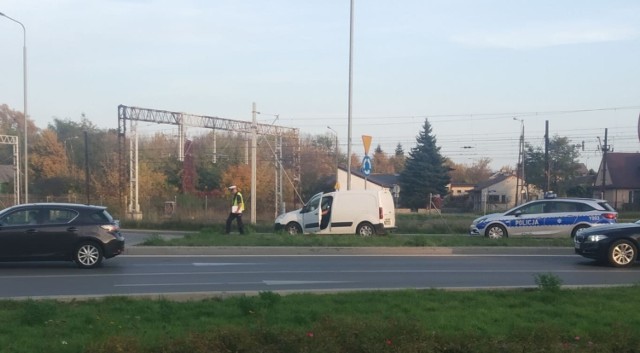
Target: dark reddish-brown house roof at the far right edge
624 170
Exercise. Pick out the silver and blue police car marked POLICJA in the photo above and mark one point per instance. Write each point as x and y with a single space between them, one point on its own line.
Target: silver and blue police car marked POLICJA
547 217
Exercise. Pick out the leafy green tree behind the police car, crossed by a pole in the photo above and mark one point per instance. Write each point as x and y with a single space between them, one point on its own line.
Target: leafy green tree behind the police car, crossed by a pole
563 162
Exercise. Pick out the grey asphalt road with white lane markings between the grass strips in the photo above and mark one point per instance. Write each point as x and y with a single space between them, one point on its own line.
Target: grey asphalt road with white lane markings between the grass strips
251 270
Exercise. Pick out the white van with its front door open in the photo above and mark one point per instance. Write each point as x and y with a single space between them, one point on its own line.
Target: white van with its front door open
363 212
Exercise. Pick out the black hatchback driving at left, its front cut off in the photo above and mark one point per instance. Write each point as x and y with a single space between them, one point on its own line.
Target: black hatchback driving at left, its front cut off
60 232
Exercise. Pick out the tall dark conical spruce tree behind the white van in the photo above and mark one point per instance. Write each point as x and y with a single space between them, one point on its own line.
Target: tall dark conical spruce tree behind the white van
424 173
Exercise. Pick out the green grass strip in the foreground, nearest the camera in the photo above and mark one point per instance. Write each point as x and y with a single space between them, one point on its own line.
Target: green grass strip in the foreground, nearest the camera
546 319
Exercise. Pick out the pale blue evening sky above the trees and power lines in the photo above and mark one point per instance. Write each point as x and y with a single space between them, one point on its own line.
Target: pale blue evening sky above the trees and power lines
478 70
